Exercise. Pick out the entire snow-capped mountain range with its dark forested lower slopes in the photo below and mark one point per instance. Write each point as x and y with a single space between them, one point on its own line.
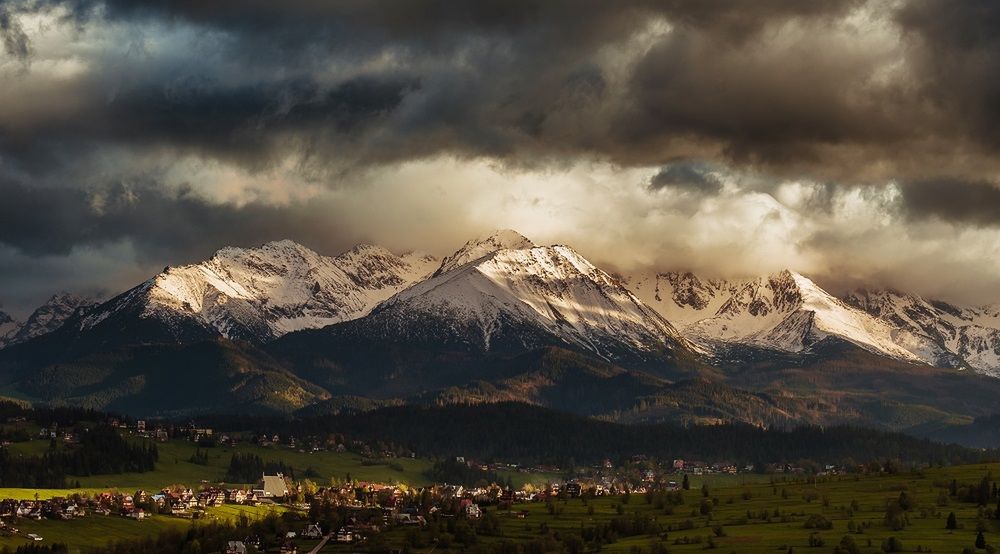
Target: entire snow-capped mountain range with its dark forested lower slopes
281 328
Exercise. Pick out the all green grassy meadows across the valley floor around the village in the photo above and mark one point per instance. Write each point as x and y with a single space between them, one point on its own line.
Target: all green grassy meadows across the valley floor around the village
745 513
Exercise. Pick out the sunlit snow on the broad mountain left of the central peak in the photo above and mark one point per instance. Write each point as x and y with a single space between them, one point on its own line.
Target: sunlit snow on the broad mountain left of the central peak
262 293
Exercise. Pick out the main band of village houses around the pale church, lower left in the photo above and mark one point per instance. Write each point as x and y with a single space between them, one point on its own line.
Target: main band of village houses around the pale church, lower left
375 506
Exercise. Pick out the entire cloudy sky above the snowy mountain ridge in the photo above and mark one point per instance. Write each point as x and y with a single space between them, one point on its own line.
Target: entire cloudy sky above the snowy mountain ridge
854 141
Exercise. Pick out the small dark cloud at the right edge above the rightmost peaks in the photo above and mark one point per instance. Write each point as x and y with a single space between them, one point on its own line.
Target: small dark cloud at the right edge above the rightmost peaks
967 202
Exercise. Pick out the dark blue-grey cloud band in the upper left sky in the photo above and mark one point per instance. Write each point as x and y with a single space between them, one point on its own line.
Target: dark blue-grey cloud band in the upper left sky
248 124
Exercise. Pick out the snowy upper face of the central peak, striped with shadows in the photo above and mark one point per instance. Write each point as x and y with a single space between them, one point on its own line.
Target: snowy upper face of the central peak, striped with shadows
502 292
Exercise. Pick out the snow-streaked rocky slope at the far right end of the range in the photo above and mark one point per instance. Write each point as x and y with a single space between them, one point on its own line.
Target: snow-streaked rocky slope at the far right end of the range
970 333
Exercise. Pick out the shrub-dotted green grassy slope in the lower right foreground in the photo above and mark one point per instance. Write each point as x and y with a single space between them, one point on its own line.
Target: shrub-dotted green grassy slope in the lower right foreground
737 516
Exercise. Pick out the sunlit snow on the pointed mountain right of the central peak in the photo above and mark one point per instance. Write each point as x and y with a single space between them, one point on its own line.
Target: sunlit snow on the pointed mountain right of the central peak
785 311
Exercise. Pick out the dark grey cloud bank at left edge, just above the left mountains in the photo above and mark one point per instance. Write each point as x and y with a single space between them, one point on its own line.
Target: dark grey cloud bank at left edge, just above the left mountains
178 226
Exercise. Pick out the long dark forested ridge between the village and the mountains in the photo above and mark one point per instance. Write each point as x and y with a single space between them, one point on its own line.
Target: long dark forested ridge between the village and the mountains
526 433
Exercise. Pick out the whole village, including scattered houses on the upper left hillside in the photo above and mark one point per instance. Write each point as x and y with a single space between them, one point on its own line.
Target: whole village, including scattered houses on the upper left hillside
368 506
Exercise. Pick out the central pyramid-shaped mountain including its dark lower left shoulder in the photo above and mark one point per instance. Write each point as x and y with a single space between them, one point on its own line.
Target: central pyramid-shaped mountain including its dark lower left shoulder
501 294
